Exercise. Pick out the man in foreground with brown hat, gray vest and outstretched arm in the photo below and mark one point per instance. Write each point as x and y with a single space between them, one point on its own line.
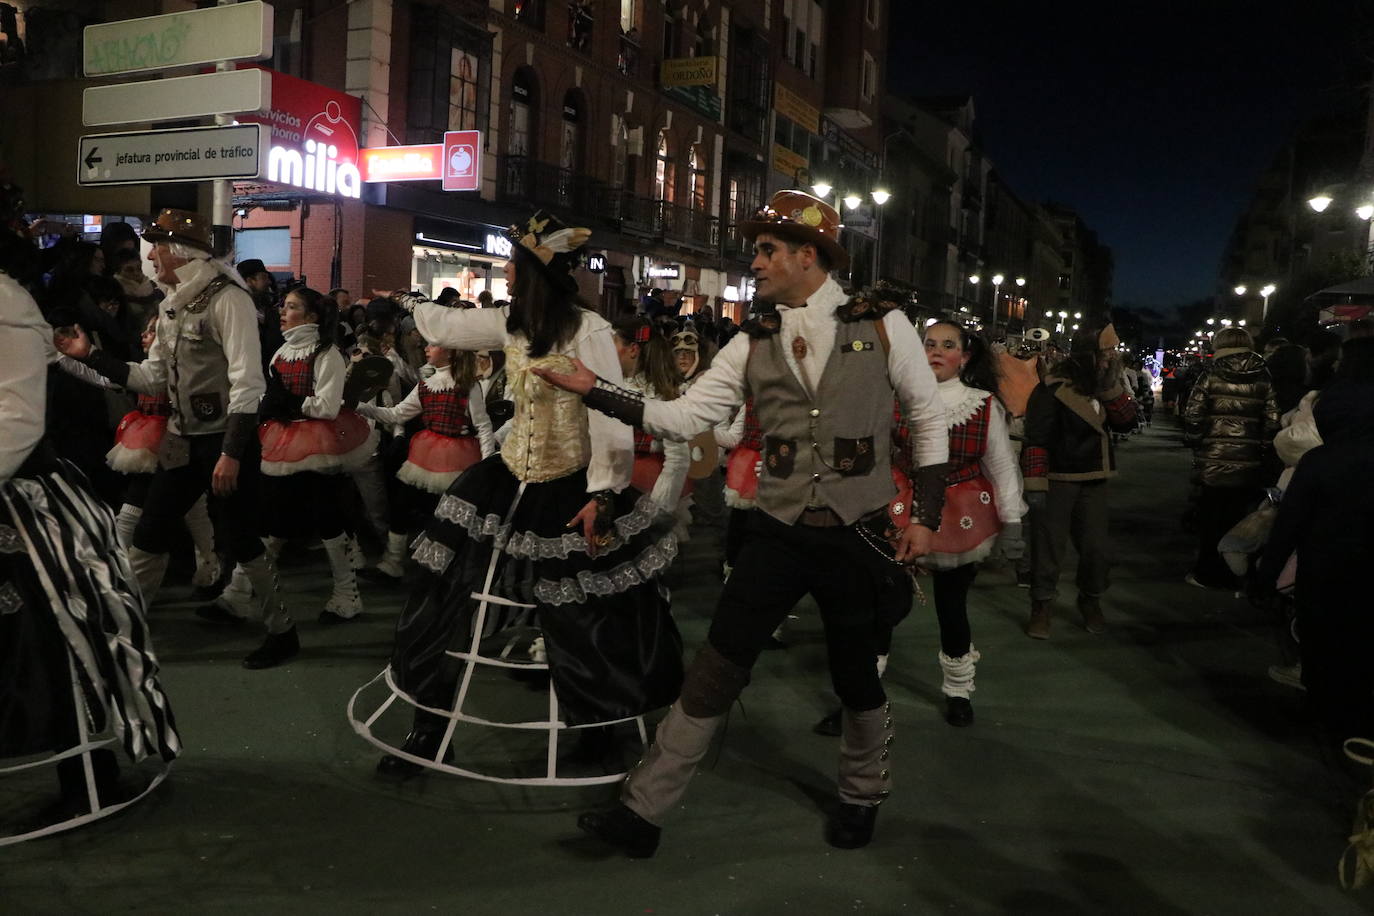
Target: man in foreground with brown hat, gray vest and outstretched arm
822 371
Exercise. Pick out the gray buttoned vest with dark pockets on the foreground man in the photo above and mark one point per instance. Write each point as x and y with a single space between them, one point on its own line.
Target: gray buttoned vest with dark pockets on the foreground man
831 451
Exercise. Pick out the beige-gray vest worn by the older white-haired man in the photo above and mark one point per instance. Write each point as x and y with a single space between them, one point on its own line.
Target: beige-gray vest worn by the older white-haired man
199 373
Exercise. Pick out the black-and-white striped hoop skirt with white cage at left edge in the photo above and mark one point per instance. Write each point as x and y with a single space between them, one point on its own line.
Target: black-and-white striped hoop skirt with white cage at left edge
78 675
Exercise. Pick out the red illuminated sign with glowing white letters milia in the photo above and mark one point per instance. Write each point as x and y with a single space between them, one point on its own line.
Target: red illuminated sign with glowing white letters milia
314 142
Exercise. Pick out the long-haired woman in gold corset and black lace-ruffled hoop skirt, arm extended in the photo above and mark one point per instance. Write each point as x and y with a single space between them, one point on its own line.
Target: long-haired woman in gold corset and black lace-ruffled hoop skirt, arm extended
546 534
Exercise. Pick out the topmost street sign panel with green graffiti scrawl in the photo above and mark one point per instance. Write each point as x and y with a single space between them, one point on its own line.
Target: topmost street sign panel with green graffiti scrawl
234 32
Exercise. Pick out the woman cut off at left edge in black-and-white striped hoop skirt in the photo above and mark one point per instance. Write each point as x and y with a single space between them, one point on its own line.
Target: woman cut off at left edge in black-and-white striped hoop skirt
78 675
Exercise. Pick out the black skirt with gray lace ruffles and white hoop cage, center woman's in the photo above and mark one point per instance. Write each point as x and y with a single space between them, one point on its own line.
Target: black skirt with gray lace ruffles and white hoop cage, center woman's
509 598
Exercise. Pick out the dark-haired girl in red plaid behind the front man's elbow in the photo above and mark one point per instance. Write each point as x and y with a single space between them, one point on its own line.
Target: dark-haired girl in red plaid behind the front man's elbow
983 499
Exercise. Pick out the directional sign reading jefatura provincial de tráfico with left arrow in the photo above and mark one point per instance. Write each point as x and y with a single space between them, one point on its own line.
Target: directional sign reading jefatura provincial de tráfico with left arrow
194 154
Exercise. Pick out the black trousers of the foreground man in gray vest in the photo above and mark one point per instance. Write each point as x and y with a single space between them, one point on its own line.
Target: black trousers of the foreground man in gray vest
782 564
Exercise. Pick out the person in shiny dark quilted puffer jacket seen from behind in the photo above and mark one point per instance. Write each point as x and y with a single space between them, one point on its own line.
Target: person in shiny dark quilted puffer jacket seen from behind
1230 421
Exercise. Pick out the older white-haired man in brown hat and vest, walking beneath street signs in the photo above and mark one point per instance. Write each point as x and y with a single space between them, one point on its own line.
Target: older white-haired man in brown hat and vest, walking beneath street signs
207 360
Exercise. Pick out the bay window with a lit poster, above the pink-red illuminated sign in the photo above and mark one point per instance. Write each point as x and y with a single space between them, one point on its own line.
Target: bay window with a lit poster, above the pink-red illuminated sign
450 78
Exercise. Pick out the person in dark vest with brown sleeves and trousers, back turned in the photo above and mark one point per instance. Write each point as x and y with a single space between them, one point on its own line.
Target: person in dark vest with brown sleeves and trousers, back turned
1068 461
